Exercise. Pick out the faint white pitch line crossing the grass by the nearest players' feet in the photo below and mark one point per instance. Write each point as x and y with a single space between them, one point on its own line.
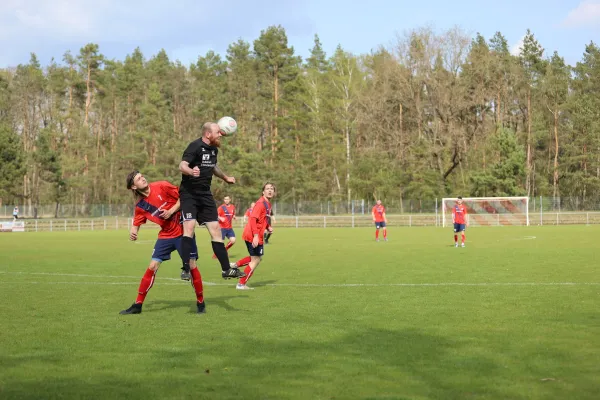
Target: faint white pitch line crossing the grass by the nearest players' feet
180 282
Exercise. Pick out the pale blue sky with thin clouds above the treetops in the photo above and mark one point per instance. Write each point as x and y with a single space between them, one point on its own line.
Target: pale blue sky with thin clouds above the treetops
189 28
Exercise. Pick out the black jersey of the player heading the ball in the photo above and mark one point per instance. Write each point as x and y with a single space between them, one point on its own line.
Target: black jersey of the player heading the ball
201 155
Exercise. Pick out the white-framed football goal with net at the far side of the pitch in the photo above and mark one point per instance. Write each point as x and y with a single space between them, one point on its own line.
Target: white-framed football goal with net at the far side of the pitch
489 211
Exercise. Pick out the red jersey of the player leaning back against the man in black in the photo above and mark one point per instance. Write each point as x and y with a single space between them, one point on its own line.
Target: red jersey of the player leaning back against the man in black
163 196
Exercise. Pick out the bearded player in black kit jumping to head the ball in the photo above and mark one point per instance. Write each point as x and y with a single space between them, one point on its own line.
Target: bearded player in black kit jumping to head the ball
198 165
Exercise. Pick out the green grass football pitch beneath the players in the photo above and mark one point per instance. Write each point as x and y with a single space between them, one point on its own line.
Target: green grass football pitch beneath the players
335 315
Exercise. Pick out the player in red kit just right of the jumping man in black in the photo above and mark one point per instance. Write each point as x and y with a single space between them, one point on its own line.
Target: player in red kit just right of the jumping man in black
253 235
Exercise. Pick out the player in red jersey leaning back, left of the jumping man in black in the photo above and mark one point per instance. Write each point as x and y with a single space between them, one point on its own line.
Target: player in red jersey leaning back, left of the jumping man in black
159 203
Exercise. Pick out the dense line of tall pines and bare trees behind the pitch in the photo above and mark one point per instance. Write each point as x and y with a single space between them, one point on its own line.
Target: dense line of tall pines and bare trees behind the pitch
434 115
